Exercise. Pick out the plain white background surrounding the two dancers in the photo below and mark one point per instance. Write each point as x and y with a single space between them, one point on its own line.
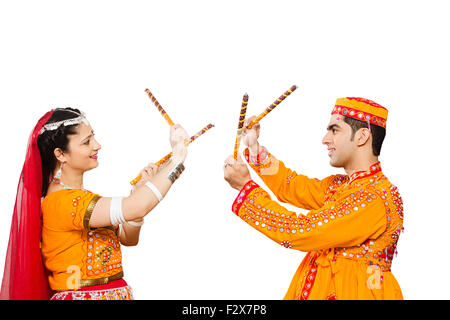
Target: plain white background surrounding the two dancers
199 58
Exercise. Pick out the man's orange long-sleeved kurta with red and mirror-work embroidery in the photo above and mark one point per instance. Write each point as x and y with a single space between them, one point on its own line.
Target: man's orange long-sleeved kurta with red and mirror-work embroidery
350 232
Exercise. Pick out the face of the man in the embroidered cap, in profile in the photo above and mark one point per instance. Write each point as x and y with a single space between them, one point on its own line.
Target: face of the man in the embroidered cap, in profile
338 140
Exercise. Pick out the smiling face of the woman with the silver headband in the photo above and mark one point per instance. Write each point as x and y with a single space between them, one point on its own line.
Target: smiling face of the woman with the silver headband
82 154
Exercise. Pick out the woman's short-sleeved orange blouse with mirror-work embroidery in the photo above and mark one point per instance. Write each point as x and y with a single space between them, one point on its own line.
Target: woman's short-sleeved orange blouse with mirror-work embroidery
72 250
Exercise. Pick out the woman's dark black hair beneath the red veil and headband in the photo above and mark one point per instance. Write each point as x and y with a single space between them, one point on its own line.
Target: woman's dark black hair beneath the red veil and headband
49 140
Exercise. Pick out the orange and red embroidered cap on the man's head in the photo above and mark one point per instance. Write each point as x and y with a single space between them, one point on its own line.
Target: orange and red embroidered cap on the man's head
361 109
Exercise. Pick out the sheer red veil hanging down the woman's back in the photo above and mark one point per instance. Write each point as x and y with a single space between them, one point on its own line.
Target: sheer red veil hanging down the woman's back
25 276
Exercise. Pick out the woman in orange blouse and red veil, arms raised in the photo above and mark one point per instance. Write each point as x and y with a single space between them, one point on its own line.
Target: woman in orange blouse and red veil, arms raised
65 240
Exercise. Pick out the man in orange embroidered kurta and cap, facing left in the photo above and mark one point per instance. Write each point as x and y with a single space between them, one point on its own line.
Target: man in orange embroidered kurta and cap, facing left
351 231
